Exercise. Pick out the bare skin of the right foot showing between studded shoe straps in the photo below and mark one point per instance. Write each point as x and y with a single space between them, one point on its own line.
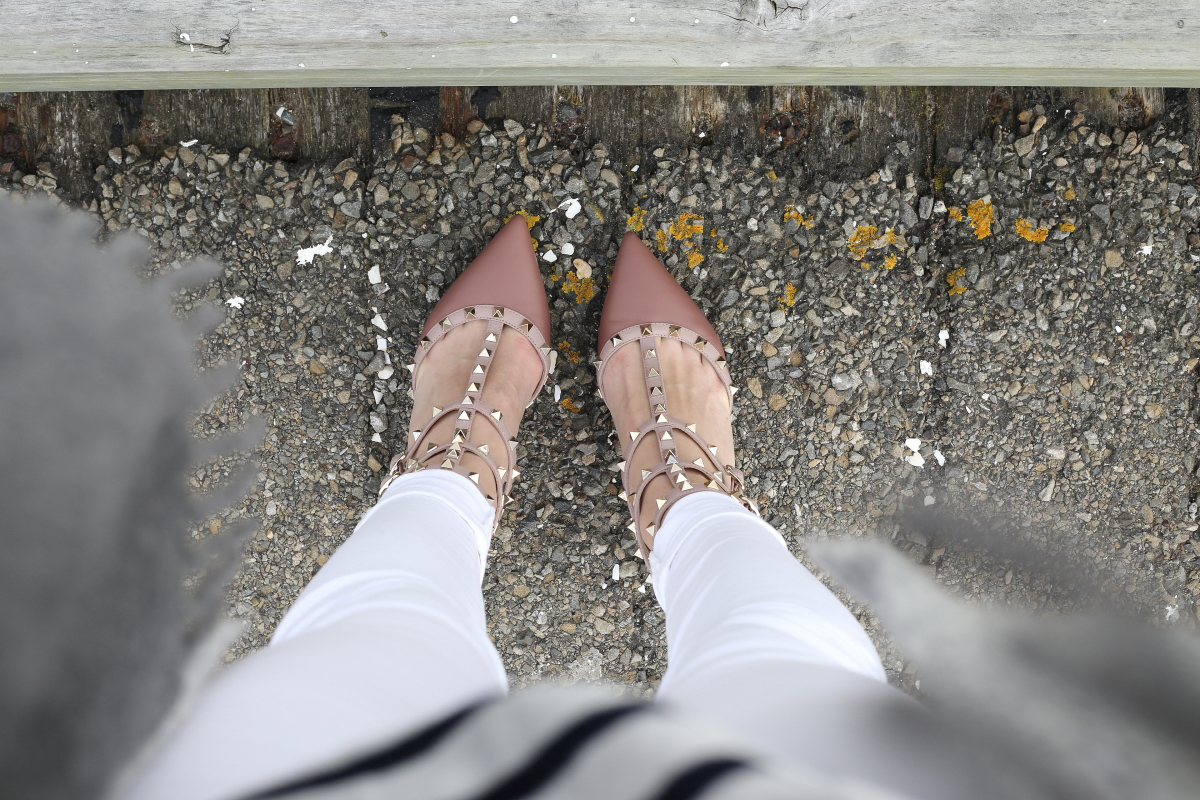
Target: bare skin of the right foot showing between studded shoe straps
694 394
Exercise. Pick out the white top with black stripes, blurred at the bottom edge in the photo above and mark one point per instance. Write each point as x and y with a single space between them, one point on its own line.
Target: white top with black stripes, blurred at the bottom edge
568 744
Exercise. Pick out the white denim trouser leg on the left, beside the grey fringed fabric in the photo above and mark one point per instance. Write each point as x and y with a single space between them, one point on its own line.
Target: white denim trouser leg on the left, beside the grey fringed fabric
388 637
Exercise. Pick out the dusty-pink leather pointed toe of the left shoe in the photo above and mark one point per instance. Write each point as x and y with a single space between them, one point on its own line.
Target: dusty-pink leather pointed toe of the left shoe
505 274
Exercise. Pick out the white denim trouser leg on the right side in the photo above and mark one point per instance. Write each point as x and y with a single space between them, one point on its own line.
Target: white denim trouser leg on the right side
758 643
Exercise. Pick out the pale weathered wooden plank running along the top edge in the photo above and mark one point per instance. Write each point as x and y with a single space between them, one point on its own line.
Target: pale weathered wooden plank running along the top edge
232 44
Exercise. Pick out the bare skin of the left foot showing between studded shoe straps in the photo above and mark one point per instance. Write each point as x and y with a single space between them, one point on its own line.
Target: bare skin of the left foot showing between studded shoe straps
442 381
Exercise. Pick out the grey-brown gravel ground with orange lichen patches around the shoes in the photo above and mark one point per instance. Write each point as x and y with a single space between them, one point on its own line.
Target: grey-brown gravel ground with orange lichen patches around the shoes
1029 316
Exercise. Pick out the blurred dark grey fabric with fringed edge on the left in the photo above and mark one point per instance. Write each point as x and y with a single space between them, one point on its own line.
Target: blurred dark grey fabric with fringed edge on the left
95 396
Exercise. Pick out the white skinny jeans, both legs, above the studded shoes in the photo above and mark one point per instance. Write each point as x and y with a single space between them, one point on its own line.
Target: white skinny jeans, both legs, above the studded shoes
391 636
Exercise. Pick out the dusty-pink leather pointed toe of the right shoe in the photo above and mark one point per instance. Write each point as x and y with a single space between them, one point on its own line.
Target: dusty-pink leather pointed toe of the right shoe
641 291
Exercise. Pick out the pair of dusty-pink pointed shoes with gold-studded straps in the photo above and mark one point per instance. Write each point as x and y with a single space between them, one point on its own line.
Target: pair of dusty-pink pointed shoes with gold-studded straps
645 305
